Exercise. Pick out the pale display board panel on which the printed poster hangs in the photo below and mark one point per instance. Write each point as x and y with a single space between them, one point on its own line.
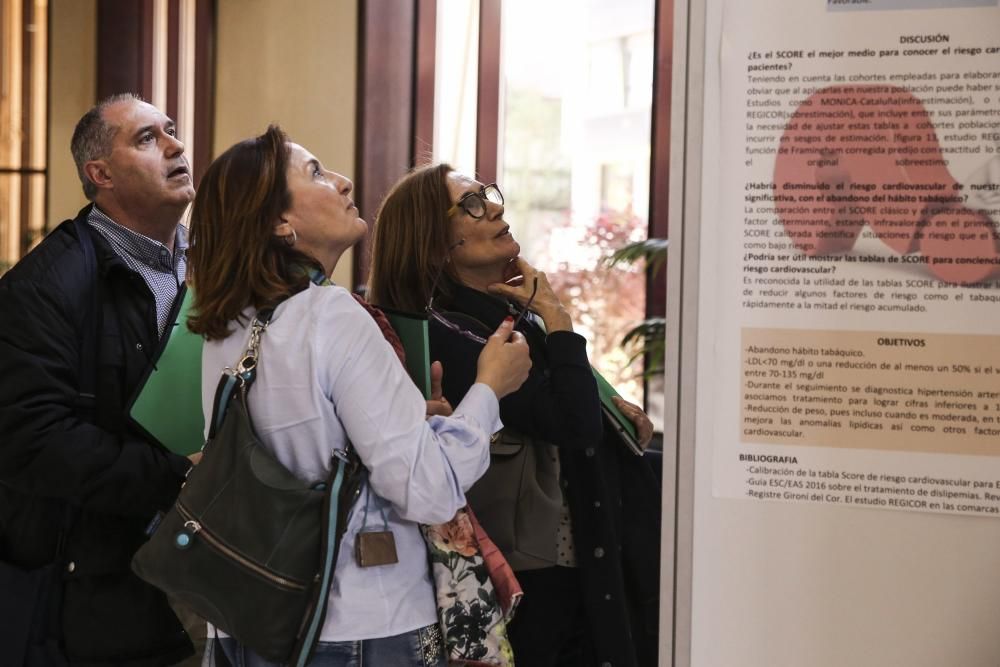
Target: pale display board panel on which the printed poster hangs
818 581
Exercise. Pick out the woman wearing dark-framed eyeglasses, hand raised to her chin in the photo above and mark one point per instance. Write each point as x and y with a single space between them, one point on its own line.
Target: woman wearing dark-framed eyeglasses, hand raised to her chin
576 514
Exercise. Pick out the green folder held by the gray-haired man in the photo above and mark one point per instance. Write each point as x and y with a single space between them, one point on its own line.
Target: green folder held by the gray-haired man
168 407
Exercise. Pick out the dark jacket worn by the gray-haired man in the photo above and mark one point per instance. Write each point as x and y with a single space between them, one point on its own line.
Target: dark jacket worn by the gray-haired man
50 456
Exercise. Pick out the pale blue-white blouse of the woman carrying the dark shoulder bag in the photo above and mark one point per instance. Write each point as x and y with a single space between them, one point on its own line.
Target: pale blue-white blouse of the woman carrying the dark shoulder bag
326 375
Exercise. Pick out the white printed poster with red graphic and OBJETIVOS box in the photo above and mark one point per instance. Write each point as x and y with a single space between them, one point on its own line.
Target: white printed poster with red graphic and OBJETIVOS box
851 239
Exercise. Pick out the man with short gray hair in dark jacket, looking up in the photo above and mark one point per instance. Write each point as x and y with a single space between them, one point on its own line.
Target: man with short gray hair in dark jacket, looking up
81 318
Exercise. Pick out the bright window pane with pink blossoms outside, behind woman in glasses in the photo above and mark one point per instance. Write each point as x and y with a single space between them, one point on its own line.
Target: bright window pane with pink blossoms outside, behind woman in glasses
577 79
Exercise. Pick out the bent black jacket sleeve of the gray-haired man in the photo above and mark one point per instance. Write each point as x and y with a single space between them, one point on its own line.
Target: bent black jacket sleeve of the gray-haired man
46 450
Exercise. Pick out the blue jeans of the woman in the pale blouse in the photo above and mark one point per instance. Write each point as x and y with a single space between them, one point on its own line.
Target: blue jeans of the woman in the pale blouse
422 647
